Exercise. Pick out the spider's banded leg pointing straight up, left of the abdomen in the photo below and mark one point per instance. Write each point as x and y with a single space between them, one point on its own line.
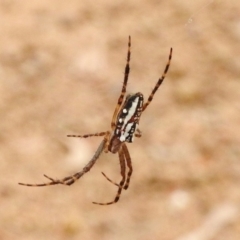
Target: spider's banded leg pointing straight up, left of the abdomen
124 87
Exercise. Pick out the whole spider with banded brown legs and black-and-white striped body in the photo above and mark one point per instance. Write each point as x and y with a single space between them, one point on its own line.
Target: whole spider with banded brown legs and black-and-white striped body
124 127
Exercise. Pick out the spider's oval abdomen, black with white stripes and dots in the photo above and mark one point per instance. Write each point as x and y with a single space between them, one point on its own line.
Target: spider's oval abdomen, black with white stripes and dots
128 117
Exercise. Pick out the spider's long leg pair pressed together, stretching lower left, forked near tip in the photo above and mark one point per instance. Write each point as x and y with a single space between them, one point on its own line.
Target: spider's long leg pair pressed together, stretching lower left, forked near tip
73 178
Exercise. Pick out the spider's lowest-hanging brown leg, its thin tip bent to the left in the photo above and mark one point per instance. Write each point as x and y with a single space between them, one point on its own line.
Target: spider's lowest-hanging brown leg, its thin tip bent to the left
121 184
